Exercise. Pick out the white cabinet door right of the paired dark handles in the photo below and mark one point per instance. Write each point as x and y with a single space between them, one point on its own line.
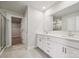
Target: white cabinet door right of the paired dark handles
72 52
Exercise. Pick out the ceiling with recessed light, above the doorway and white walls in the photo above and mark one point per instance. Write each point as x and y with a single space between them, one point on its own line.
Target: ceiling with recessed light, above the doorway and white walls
20 6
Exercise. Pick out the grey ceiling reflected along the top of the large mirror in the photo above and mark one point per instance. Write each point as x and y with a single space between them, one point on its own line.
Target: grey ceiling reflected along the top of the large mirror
70 10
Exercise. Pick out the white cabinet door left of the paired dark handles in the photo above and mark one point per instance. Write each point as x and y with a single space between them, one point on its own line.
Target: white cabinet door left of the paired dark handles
58 51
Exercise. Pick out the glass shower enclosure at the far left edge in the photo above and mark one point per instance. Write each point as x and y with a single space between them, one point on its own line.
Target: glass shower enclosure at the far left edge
2 31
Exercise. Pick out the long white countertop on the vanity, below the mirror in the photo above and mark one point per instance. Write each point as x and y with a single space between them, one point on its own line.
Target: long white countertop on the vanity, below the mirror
62 35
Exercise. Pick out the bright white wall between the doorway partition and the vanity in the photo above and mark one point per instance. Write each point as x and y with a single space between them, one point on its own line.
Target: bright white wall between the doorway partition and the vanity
35 24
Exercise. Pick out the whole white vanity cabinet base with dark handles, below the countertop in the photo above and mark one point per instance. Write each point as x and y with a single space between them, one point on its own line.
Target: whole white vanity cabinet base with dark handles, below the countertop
57 47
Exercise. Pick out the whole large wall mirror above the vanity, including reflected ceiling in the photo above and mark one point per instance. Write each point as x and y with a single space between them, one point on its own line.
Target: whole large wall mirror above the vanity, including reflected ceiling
66 19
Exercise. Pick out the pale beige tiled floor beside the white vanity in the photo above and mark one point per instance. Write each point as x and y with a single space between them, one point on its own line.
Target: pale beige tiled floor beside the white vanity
19 51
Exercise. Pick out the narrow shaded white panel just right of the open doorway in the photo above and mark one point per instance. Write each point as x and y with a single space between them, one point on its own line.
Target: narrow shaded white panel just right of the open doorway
24 29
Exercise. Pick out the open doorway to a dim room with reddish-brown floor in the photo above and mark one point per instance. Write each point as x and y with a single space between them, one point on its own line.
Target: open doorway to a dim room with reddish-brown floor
16 31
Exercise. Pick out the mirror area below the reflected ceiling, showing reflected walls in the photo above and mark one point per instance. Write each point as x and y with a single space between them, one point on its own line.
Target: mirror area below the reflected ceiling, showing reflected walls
68 22
